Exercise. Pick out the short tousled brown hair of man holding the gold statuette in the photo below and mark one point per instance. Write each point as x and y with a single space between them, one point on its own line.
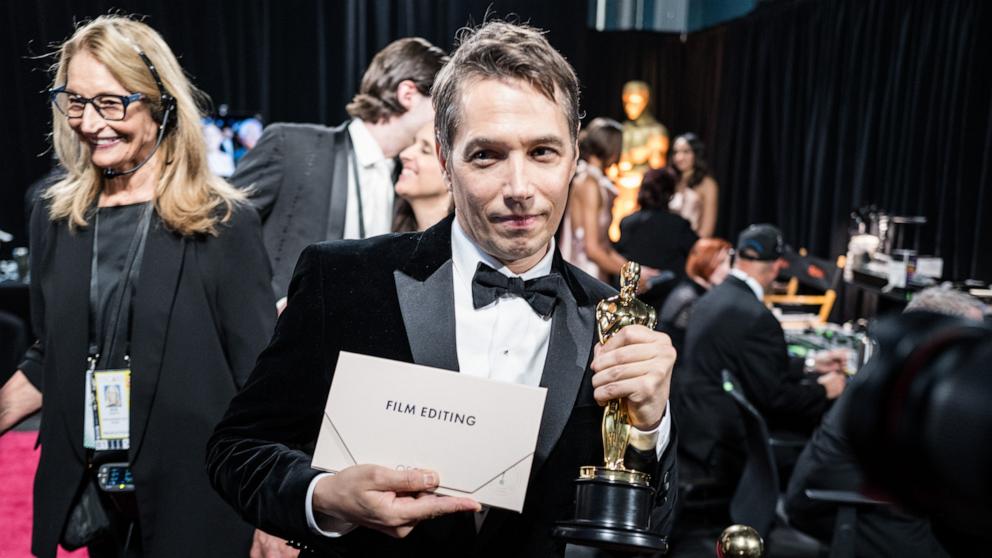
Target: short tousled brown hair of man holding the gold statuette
507 52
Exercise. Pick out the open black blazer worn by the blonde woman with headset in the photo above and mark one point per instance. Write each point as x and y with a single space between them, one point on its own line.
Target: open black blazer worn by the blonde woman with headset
202 311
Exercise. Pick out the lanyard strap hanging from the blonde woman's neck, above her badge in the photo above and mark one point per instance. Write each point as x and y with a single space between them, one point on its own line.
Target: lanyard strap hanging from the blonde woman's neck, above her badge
121 302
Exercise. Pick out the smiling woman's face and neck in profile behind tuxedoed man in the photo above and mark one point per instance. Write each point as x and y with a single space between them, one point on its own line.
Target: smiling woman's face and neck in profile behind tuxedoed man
424 199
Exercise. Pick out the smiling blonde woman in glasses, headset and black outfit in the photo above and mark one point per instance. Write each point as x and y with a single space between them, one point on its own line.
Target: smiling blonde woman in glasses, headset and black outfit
150 278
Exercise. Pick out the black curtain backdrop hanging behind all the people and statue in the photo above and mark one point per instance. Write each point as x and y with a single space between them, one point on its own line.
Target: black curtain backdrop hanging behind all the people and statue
809 108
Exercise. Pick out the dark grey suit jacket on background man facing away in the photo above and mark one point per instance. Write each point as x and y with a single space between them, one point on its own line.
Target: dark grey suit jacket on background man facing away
298 174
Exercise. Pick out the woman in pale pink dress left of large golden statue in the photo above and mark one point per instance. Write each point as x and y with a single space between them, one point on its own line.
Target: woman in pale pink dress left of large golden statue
584 236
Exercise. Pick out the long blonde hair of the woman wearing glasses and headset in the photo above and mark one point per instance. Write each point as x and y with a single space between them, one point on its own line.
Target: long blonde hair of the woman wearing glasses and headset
188 197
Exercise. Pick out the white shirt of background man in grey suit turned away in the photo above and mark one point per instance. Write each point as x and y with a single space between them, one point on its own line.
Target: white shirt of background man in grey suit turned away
375 180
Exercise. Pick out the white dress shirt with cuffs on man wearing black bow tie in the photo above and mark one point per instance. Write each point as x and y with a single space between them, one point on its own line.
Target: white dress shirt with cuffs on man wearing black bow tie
504 341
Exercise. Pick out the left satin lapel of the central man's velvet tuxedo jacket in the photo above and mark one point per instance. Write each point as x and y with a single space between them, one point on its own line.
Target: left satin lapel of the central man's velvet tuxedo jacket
426 296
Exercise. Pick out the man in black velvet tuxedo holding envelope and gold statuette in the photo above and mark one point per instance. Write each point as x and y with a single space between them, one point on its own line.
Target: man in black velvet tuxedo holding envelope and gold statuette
484 292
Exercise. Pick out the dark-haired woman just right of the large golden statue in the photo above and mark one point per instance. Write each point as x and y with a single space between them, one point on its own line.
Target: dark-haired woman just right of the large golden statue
697 194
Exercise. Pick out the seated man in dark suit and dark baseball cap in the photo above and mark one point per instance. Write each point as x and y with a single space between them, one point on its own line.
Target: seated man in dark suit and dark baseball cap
731 329
